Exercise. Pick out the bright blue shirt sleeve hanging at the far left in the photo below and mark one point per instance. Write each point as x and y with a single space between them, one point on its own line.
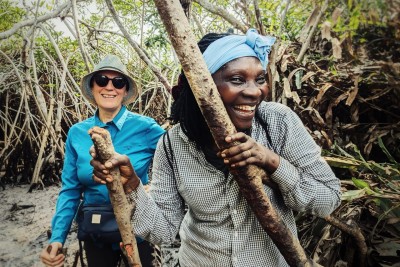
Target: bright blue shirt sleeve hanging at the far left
69 196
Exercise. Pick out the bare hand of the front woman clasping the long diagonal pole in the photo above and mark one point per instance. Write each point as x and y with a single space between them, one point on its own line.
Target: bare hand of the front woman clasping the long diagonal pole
247 152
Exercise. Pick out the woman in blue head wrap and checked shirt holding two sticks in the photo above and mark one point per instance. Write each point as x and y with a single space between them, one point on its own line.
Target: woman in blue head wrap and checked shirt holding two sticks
219 228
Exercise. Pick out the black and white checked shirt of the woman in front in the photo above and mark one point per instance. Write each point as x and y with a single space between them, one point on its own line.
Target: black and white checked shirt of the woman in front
219 228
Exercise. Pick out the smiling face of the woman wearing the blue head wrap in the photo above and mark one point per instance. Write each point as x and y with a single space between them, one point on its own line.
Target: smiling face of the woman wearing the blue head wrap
242 86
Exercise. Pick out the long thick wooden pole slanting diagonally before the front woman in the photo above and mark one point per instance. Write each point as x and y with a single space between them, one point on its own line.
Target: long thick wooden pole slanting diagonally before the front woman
249 178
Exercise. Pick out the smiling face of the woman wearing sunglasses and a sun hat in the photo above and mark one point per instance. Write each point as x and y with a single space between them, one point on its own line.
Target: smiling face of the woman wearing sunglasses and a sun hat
108 98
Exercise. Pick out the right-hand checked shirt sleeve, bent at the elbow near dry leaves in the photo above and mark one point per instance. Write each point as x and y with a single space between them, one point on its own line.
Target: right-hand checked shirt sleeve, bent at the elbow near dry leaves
305 179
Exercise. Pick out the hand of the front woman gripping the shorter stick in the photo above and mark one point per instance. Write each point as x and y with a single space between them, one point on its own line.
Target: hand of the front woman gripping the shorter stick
102 172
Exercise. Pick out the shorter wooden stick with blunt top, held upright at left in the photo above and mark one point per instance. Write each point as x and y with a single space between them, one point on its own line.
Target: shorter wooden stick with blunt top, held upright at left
122 209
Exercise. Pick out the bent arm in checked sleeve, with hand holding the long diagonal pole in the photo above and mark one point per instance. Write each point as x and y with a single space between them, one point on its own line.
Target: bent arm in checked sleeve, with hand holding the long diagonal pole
304 178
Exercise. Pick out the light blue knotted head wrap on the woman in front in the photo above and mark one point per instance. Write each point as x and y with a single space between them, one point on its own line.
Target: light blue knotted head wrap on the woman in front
231 47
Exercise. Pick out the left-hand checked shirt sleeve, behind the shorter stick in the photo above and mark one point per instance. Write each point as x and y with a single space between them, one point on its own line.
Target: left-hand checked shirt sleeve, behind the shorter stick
159 214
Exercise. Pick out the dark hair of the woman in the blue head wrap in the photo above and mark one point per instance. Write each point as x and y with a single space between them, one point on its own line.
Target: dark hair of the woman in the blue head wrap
185 109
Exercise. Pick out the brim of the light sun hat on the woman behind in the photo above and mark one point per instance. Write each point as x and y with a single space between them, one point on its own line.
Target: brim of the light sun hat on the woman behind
87 90
